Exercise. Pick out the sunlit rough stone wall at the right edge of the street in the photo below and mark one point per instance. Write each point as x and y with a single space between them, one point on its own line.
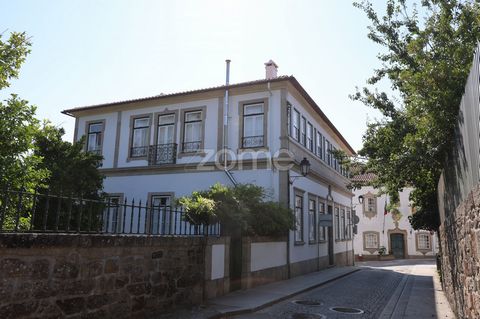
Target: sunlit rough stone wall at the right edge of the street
460 246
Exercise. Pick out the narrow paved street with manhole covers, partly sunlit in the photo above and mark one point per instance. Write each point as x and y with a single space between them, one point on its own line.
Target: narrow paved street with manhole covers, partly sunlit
393 289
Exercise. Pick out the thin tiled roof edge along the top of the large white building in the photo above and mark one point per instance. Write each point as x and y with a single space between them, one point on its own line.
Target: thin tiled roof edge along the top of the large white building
289 78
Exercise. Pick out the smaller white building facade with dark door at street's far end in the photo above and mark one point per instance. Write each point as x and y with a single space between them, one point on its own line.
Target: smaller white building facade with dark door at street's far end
391 230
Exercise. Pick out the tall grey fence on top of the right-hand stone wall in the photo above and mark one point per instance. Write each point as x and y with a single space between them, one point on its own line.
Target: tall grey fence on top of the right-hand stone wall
462 172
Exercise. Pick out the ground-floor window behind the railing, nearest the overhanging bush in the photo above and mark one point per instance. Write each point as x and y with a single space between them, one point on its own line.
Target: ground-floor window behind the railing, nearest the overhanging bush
162 215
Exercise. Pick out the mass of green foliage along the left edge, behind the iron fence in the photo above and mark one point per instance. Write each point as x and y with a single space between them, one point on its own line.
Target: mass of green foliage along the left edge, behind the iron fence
34 157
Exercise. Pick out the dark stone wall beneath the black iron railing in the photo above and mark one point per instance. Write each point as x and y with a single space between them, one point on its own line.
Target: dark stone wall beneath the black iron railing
98 276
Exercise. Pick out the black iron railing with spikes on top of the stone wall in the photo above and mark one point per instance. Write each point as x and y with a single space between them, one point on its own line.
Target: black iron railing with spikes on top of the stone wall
22 211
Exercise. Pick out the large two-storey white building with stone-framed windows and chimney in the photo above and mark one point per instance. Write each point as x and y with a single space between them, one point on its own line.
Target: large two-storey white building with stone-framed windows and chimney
163 147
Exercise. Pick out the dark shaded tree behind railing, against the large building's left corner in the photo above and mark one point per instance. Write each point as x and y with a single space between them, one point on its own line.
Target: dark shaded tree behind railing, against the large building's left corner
73 173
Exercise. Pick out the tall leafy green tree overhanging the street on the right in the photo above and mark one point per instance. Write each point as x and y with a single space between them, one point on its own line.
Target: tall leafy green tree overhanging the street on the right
427 60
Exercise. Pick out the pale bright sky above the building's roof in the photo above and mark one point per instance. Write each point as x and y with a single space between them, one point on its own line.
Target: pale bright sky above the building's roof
90 52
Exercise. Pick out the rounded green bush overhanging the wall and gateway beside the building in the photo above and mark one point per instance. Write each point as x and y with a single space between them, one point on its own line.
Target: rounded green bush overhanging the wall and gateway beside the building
240 209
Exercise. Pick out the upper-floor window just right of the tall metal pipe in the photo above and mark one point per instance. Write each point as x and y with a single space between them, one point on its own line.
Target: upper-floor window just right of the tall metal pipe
253 125
